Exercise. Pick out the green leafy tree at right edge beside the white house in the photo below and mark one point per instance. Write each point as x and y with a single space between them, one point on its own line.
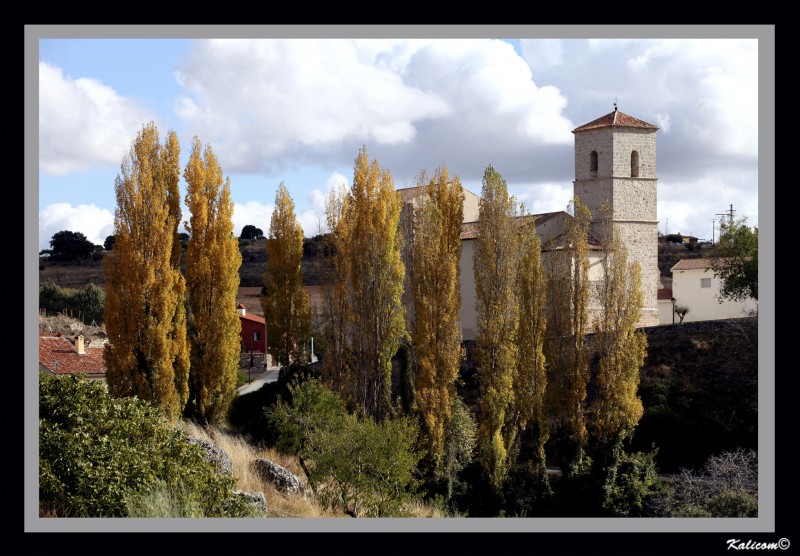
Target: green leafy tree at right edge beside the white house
734 259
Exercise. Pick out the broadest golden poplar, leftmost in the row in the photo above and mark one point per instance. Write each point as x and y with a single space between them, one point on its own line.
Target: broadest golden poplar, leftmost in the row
148 352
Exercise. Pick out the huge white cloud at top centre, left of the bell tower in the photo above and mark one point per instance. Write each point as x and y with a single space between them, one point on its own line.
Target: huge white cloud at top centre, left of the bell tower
313 99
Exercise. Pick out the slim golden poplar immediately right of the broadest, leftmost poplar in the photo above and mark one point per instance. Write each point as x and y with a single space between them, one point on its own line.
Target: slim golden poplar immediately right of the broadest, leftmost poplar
212 281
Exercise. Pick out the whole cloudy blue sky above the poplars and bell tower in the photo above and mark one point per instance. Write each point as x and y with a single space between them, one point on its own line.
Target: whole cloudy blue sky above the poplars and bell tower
299 110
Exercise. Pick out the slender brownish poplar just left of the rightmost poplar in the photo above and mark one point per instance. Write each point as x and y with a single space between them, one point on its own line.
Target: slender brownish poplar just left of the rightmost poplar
567 277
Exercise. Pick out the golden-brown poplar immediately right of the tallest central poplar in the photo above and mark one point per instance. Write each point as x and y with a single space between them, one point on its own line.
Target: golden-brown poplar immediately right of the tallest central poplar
435 329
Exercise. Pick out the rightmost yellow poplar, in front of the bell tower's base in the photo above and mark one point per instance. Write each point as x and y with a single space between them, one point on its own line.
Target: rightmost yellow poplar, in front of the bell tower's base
616 407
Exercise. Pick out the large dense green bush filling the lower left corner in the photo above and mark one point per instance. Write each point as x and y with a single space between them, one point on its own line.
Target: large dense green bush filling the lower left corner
97 454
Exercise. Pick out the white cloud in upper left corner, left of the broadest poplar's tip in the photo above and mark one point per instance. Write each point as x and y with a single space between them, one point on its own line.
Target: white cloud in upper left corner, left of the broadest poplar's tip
83 122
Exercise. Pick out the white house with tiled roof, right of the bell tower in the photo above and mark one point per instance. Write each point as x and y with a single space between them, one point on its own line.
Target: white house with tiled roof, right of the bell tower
694 285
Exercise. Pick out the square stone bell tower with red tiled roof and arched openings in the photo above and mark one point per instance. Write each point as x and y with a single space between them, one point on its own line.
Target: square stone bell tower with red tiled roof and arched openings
615 162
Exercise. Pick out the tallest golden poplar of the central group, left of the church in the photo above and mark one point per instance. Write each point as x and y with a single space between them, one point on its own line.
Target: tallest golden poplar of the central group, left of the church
375 282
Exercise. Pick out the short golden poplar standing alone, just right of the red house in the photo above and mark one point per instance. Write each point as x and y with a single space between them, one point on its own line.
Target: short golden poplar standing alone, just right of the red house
286 307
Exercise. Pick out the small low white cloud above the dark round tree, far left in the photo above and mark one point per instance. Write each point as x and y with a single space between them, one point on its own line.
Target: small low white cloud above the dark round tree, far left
93 222
